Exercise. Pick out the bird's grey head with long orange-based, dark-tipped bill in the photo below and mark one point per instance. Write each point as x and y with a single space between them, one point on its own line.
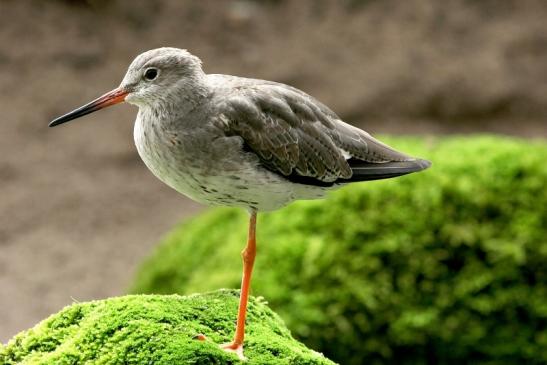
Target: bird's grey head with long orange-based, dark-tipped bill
154 76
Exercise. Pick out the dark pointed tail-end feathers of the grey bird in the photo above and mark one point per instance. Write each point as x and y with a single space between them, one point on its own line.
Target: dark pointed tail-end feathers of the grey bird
365 171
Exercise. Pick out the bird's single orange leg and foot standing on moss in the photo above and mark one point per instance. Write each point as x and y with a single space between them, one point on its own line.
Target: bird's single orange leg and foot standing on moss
248 255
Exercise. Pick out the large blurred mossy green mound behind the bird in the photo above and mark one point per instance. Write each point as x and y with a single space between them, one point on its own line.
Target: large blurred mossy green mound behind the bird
444 266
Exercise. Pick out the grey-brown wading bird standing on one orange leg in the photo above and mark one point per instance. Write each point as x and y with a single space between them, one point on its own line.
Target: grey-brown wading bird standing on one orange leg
242 142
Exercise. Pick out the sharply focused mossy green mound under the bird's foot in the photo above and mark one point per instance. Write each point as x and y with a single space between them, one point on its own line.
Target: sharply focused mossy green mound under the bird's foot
159 330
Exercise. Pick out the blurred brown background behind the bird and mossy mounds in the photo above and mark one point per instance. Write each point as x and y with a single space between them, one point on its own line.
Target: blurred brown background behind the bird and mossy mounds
79 210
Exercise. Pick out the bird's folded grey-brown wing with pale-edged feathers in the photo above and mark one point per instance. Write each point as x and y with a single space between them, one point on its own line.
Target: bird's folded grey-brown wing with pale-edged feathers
300 138
